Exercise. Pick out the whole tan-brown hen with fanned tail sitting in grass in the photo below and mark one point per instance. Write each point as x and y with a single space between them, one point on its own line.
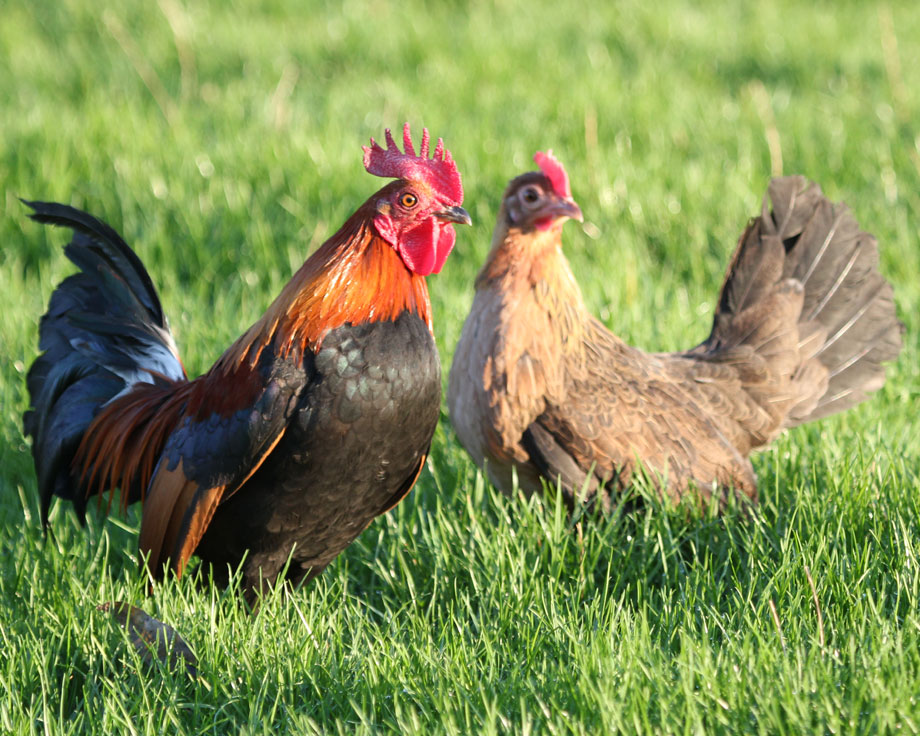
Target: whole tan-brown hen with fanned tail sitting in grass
540 389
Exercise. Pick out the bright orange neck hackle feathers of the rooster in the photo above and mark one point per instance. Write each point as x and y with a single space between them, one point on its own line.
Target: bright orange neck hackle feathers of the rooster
354 277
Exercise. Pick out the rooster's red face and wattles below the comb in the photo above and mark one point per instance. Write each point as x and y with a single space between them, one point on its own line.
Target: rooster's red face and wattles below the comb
416 223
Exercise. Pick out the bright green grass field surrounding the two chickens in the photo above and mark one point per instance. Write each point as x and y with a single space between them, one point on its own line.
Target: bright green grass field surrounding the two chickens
223 141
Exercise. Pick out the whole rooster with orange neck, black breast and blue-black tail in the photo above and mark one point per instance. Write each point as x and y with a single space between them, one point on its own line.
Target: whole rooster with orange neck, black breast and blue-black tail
315 421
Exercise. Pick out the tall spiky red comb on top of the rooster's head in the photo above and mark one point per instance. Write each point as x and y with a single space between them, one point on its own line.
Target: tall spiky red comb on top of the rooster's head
439 171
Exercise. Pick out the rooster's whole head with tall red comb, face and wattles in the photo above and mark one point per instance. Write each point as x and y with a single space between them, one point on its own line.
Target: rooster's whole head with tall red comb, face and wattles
416 214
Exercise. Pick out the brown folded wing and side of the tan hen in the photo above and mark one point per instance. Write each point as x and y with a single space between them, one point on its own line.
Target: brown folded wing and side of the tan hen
625 409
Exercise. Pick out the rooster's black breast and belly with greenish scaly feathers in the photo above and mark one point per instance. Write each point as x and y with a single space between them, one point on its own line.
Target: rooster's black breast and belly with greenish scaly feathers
362 426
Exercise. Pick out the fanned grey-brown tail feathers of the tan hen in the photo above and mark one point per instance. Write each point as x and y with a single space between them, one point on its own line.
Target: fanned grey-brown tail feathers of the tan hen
804 292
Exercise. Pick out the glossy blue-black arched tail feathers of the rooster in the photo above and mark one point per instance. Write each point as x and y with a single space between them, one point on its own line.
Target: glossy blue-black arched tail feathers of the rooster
104 332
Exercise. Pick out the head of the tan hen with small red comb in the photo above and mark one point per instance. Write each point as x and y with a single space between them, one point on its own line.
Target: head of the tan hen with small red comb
540 200
